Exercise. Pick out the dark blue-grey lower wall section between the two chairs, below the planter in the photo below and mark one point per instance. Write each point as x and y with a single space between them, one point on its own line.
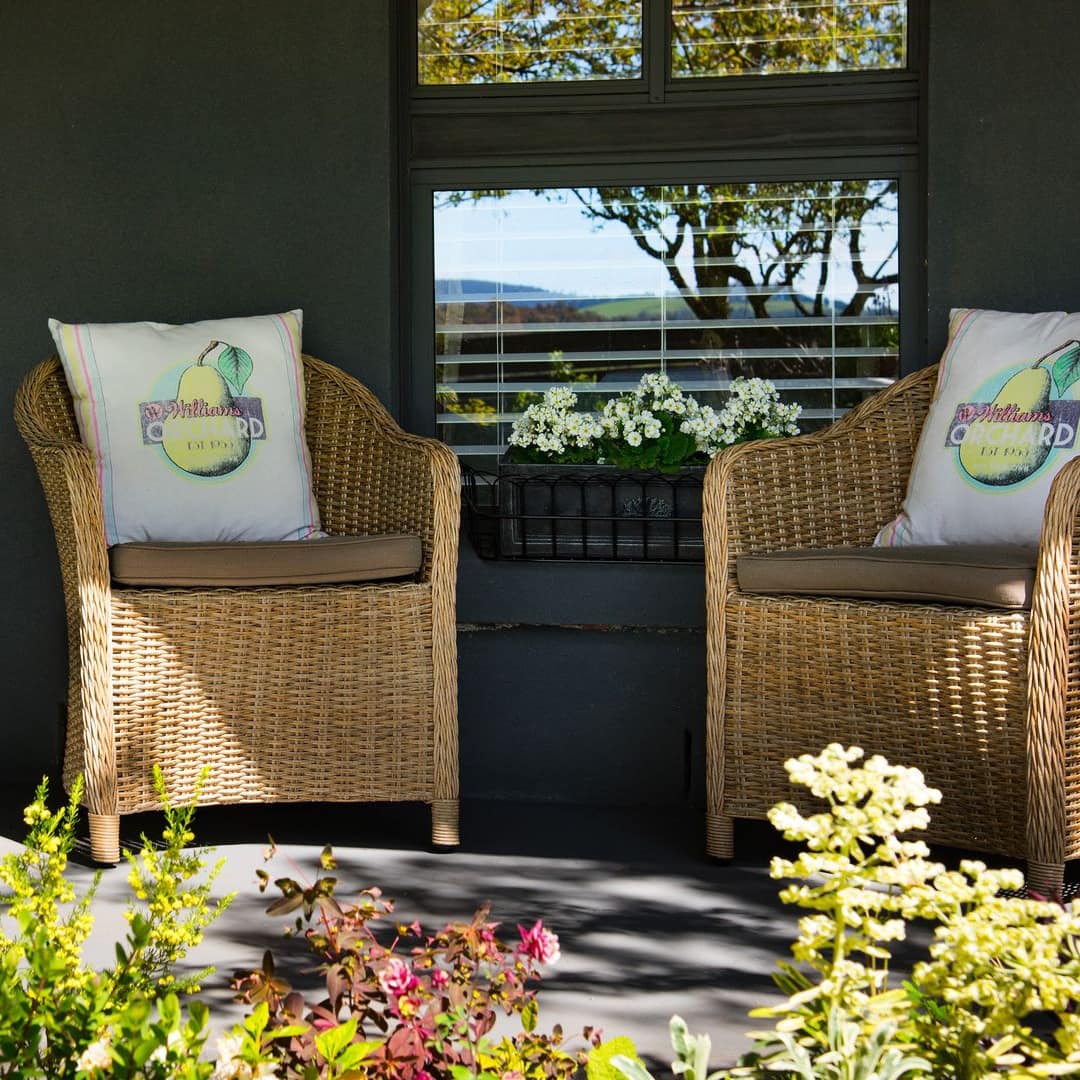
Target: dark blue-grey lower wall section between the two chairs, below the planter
613 718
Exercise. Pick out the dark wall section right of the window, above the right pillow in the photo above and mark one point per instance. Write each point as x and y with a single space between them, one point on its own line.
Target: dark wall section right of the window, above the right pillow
1004 207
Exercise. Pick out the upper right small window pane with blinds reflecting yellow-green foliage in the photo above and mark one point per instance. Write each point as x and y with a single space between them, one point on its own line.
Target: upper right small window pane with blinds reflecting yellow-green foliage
787 37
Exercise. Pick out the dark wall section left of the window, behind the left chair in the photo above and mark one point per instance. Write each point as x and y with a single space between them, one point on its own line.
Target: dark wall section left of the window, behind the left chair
177 160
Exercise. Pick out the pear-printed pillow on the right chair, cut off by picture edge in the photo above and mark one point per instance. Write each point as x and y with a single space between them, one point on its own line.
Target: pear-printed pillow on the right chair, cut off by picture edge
1003 423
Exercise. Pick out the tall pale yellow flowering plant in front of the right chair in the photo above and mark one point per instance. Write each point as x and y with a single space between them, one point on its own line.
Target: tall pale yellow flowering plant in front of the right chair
996 994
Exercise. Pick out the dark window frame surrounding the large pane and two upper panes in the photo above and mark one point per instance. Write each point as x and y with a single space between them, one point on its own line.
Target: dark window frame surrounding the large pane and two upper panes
889 105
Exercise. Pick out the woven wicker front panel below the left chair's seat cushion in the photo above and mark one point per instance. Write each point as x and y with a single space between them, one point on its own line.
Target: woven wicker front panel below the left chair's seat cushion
205 698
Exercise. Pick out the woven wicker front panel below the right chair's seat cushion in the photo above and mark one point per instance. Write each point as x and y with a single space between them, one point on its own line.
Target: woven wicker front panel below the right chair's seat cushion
964 728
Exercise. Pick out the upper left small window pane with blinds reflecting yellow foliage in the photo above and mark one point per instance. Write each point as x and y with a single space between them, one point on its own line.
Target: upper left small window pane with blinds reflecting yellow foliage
485 42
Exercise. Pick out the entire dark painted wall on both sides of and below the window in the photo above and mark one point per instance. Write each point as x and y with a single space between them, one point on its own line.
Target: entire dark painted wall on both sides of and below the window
186 159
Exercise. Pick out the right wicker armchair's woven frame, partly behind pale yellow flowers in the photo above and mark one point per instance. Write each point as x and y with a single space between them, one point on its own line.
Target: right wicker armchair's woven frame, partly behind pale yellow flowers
987 703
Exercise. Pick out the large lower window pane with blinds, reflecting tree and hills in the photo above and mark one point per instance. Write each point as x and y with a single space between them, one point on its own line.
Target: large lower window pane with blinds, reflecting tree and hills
596 287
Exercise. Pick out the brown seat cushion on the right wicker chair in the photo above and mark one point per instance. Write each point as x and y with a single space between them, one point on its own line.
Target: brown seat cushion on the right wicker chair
980 576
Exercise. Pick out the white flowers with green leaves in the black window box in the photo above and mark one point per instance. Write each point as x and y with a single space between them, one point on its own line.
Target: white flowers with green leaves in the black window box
655 426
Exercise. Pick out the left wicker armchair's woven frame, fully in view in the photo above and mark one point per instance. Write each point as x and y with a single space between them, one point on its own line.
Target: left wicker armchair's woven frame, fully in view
289 694
